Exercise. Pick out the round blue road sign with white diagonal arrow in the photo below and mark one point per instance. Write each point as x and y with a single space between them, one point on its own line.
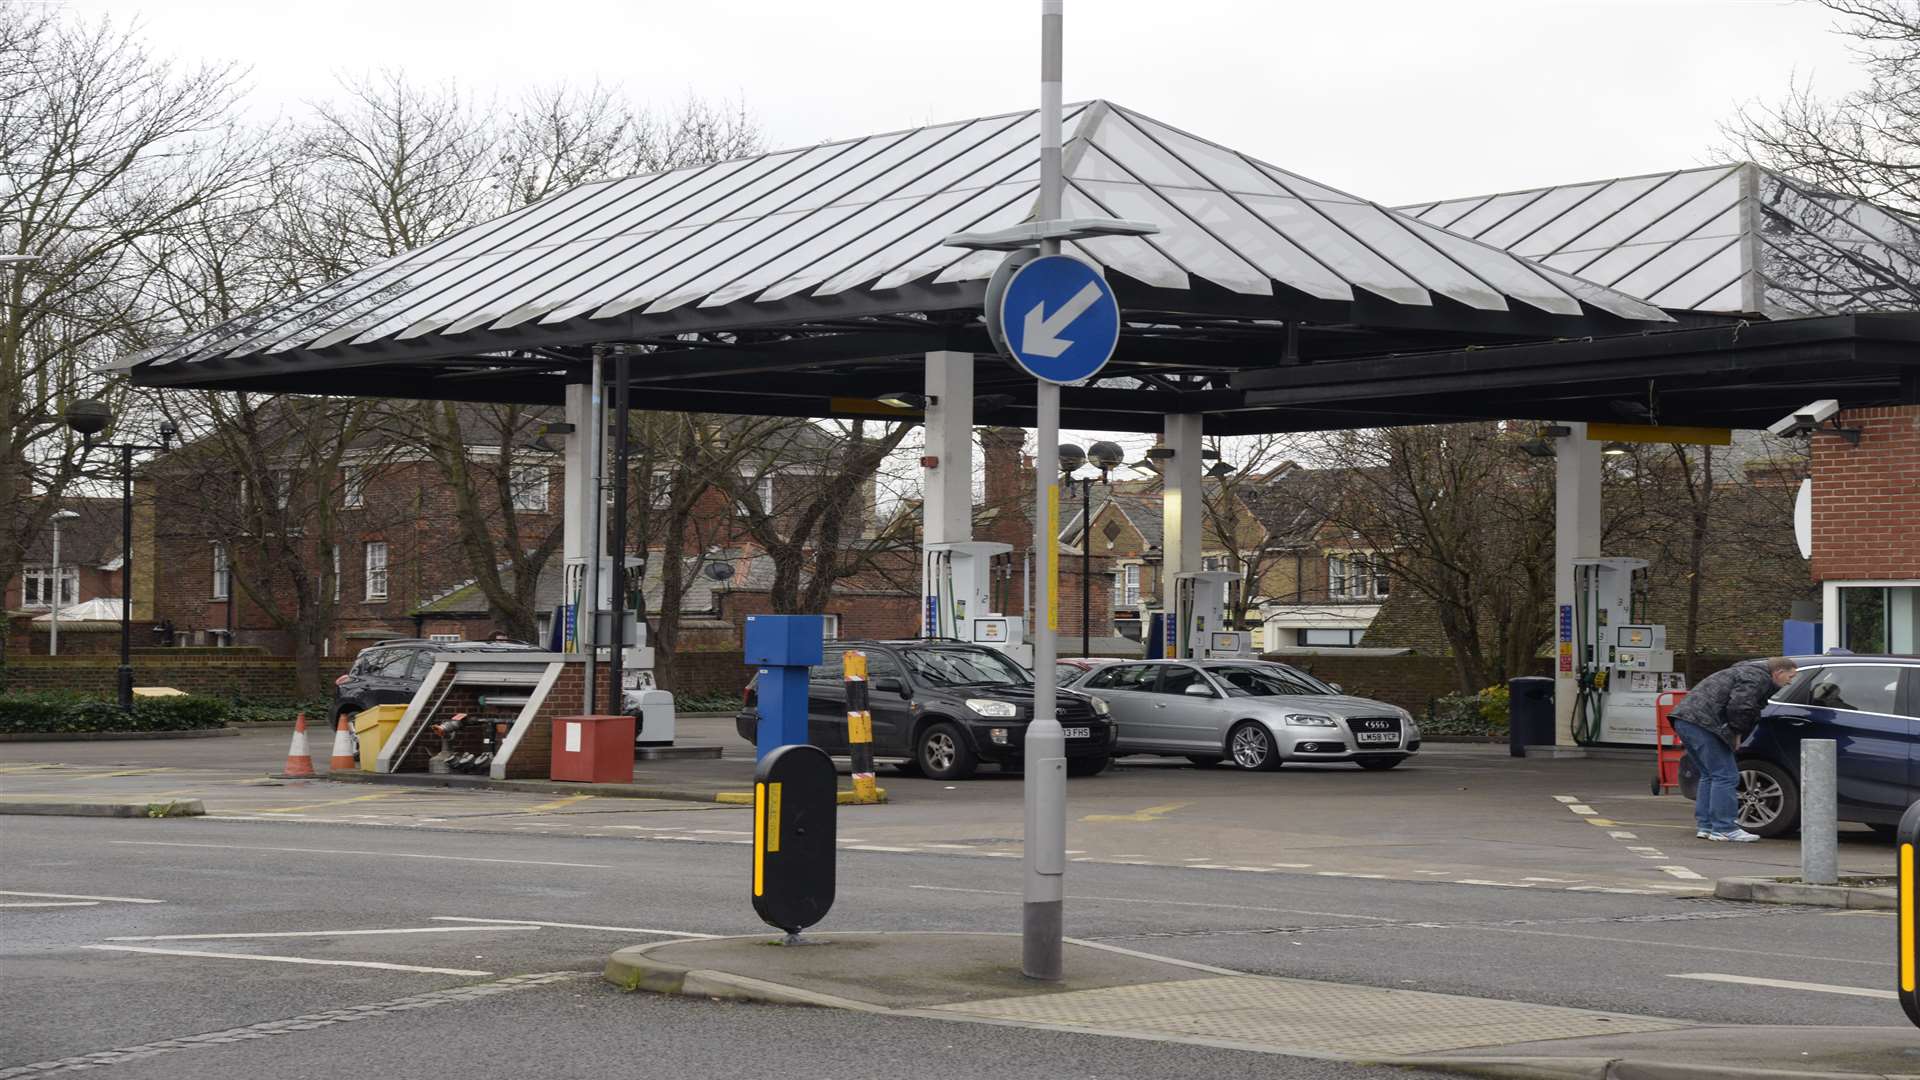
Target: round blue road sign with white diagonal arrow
1059 318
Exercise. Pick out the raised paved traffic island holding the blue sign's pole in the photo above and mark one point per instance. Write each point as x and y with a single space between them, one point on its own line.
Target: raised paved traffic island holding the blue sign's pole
1122 993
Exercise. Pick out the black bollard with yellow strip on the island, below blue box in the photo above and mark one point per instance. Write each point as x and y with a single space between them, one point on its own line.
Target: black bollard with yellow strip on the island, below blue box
794 806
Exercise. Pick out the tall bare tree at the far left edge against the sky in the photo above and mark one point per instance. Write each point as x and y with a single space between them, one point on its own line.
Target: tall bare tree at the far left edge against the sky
105 151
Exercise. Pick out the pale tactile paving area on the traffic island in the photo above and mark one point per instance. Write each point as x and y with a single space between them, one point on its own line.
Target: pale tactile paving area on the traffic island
1310 1016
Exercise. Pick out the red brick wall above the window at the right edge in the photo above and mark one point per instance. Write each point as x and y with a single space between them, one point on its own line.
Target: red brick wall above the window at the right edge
1867 499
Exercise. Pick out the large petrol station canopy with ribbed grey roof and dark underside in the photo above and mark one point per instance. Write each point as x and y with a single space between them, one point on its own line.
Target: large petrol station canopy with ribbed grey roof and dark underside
809 282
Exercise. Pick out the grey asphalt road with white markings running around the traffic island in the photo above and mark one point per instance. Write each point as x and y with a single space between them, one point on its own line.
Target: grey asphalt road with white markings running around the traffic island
237 948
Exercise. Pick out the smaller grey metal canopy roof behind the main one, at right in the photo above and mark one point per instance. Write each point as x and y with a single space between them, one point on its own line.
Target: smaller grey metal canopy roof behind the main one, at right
1735 239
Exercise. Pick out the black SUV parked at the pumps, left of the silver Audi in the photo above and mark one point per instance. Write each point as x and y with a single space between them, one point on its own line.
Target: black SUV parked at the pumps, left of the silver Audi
944 708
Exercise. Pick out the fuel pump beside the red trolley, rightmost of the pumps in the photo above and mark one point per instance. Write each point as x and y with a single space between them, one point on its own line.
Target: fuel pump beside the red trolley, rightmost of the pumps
1623 662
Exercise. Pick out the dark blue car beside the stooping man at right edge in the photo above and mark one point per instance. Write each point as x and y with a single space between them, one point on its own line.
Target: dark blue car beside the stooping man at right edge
1871 708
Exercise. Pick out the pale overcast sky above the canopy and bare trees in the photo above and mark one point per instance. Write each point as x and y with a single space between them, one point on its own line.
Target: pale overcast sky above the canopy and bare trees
1387 99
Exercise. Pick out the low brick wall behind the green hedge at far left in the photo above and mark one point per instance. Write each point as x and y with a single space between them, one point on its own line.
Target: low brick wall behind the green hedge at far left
195 674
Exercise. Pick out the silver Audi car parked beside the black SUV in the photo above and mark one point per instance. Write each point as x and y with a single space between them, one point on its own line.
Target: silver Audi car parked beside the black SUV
1255 714
